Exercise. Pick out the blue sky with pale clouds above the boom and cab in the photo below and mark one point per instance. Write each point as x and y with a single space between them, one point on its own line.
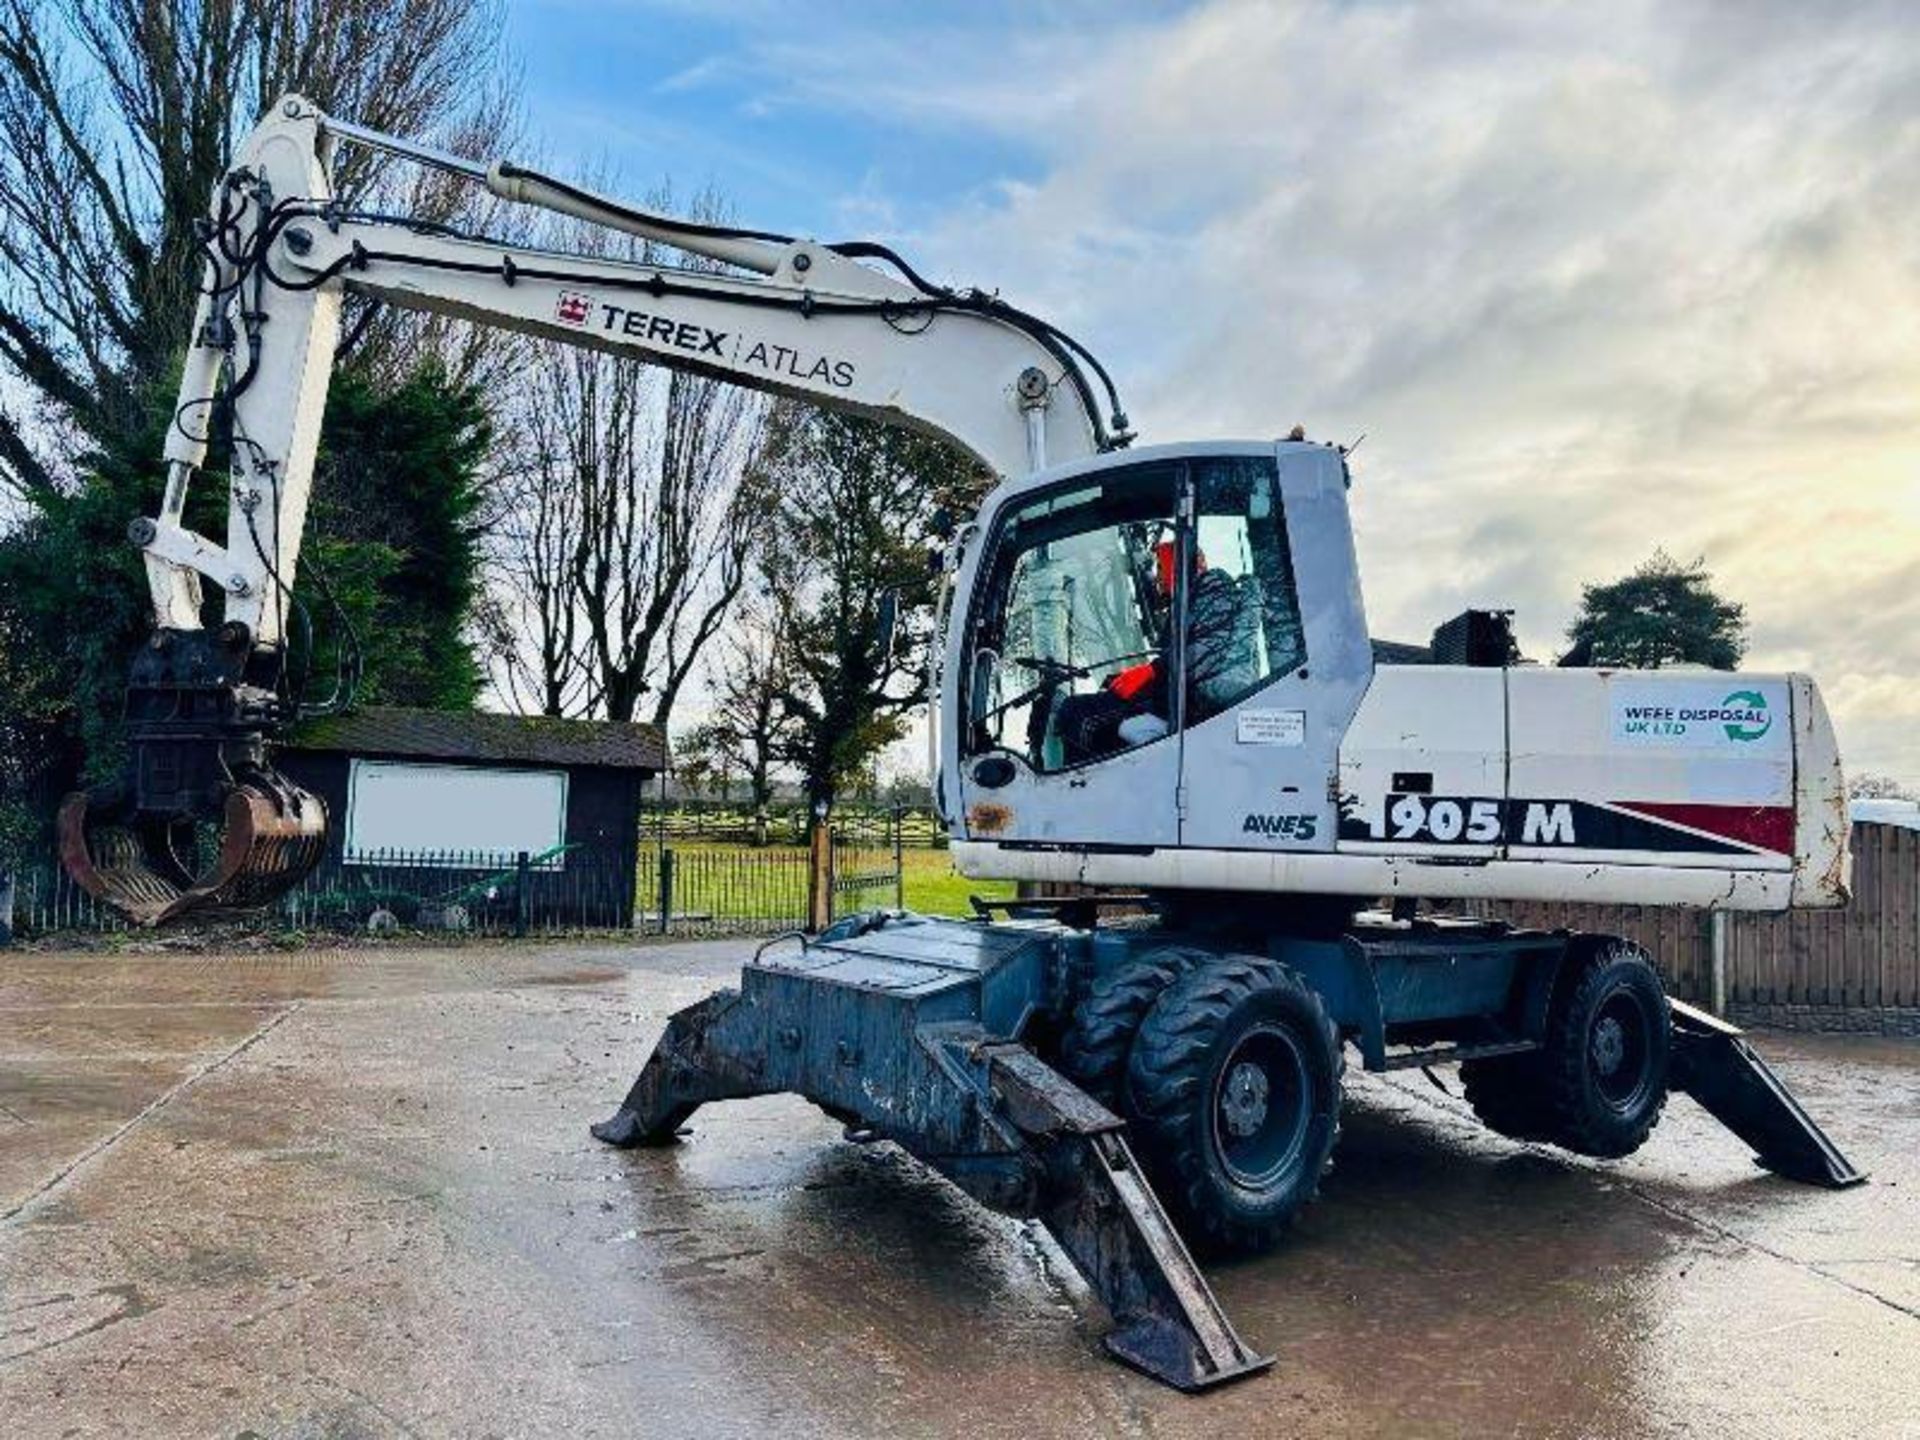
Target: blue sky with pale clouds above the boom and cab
1589 279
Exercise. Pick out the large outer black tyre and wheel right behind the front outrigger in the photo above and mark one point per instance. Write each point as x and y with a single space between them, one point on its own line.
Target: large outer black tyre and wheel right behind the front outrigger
1236 1090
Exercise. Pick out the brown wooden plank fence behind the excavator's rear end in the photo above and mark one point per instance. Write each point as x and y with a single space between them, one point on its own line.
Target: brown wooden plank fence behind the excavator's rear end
1860 959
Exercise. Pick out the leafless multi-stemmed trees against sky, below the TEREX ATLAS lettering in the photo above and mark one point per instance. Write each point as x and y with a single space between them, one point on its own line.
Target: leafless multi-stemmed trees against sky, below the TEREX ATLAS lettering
638 514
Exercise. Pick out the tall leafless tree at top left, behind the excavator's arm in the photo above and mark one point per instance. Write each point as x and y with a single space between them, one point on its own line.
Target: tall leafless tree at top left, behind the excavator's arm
116 120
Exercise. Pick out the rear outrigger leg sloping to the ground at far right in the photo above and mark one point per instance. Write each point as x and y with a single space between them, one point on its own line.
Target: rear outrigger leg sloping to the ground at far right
1716 1065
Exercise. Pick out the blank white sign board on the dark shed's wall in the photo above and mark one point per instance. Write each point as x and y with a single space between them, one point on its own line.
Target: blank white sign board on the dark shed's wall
441 809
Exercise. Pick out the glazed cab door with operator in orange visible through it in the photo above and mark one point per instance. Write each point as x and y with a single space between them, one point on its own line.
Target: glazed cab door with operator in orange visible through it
1068 727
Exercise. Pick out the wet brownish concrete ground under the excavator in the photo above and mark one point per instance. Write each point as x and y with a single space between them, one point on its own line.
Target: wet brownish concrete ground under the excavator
352 1195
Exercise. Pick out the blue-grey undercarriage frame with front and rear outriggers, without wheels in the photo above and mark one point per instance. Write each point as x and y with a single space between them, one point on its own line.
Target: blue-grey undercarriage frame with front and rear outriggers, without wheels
948 1038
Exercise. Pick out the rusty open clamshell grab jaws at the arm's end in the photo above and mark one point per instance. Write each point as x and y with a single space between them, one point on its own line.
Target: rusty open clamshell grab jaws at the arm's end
272 840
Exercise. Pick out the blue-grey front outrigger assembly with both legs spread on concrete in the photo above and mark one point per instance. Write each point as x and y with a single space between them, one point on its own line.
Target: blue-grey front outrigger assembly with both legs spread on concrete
980 1109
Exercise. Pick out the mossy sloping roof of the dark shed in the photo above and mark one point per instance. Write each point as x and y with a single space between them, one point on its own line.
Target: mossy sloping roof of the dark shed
485 736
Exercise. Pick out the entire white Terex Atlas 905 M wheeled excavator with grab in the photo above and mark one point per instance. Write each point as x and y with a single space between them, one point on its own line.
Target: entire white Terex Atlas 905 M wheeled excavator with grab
1155 677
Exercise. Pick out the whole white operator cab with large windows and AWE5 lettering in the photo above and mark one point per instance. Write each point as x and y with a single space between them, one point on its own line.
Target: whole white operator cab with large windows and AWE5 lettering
1130 617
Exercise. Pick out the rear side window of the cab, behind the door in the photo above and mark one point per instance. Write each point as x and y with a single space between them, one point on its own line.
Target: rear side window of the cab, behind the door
1243 608
